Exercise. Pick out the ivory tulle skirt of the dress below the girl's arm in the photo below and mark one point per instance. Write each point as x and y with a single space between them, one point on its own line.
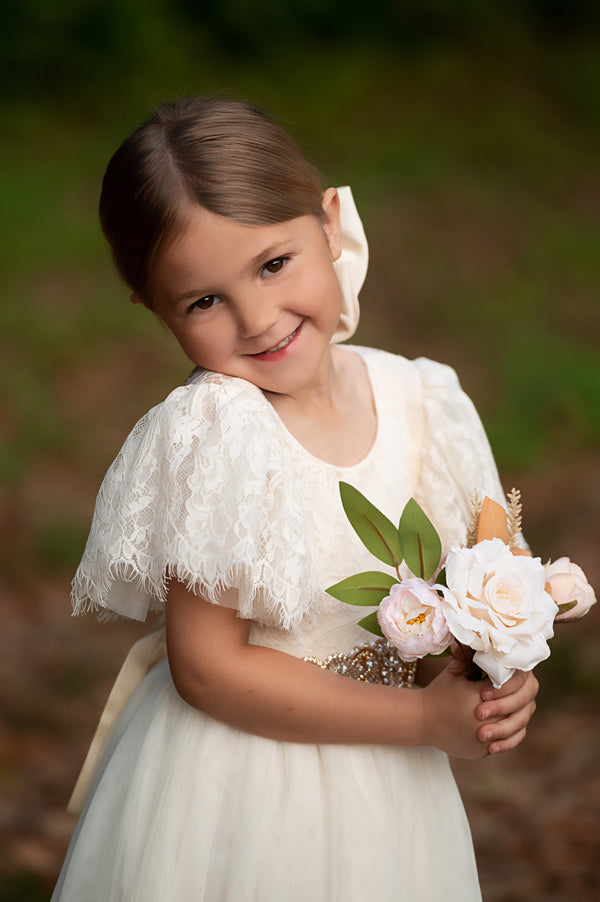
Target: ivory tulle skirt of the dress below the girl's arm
186 809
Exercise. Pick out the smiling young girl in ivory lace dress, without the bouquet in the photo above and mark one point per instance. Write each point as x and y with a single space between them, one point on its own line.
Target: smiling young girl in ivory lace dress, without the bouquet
238 771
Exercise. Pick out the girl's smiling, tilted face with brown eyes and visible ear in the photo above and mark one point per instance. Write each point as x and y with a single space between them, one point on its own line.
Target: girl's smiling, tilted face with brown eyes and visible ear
258 302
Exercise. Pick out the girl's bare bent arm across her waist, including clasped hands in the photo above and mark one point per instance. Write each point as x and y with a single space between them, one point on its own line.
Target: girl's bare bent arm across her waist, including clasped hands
273 694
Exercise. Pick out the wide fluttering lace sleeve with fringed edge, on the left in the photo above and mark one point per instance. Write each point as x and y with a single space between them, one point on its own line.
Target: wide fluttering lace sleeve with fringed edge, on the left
202 491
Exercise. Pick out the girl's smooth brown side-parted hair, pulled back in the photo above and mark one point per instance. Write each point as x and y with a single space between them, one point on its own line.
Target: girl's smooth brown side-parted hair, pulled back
226 156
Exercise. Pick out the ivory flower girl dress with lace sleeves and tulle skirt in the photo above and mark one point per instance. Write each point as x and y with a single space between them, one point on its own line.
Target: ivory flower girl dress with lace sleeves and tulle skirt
211 488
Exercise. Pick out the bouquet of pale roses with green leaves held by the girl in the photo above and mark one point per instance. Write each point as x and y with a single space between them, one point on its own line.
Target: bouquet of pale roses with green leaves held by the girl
490 596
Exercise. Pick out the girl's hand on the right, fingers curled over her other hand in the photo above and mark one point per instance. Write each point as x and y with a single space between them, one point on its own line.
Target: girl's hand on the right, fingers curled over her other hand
507 711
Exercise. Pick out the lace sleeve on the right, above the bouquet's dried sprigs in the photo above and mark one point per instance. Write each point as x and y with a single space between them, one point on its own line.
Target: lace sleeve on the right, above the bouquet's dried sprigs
456 458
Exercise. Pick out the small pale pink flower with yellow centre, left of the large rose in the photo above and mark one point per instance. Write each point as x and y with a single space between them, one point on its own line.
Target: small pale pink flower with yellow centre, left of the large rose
412 621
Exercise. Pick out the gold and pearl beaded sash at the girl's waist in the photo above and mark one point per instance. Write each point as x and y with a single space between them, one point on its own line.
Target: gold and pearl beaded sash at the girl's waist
373 662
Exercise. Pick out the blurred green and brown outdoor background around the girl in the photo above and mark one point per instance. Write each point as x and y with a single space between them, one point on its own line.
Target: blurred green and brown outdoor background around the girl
470 135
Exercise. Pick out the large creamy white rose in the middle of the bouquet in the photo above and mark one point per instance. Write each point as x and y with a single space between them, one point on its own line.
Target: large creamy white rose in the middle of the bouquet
496 603
